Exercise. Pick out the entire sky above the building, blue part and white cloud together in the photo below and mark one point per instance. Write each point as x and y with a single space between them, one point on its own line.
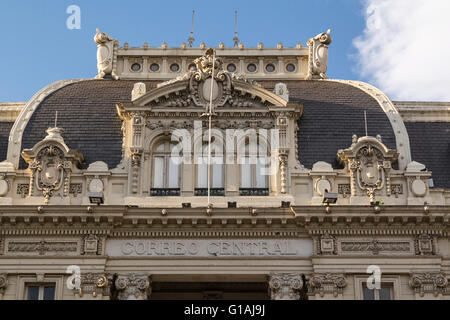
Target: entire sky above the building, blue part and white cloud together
38 49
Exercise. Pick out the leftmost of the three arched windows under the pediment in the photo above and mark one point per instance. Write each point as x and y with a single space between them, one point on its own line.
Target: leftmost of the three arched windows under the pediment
166 170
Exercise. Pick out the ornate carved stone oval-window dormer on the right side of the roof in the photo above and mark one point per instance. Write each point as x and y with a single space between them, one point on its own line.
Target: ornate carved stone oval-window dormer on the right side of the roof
369 162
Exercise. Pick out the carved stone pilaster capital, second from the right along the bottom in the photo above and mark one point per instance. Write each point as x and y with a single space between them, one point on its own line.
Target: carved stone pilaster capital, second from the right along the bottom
327 283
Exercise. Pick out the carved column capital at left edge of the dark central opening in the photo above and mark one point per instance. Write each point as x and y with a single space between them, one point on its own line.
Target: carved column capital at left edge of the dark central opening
132 287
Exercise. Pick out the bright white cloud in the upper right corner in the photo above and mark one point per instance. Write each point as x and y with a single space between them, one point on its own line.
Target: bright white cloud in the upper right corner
405 48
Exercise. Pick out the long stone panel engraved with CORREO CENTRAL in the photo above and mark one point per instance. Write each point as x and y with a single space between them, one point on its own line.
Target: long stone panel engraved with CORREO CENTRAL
210 248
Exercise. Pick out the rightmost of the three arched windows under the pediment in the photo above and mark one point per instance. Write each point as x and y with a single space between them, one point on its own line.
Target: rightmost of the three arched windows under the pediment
255 168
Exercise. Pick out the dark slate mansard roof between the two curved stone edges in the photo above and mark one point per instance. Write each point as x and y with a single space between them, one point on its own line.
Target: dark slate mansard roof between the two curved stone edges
333 112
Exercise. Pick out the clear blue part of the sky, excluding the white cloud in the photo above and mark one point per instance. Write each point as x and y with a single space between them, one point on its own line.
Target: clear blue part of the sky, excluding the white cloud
38 49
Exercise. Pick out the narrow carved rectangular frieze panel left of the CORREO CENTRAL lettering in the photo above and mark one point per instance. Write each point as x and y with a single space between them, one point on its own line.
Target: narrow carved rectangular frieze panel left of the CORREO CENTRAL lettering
42 247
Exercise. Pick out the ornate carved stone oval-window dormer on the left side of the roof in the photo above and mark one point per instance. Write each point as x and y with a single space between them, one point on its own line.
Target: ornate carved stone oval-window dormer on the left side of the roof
51 163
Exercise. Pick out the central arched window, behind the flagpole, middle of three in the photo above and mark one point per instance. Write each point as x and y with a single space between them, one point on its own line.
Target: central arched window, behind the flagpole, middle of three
217 173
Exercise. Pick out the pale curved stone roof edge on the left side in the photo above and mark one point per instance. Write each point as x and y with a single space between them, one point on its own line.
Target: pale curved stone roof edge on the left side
15 136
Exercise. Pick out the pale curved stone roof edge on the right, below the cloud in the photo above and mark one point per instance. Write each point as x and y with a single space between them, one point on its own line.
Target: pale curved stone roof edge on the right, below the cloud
401 134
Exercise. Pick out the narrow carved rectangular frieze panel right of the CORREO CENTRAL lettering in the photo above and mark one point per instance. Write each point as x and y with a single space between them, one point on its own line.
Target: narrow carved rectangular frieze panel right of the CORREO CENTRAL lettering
375 246
